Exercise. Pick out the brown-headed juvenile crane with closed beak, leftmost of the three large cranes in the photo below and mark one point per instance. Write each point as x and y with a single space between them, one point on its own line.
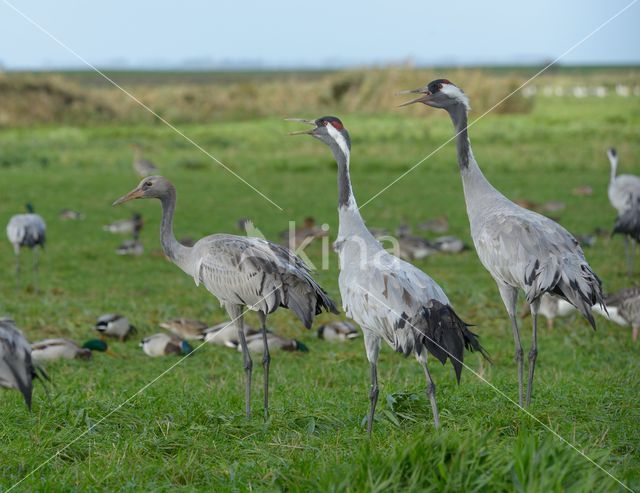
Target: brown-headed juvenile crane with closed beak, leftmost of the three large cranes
240 272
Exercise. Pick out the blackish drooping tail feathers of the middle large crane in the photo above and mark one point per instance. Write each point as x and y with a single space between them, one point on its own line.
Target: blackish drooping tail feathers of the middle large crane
446 336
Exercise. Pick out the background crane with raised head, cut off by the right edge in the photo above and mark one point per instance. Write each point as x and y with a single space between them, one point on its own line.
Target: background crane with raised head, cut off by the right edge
624 195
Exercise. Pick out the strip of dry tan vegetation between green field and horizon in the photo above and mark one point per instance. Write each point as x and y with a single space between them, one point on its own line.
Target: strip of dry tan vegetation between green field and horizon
39 98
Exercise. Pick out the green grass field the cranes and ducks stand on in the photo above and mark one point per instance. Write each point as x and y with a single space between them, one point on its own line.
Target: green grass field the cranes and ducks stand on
187 431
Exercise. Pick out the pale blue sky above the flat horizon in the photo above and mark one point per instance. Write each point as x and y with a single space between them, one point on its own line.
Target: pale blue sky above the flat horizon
314 33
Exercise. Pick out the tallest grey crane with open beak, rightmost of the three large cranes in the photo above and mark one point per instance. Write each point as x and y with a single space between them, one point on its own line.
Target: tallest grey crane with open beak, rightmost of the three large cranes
520 248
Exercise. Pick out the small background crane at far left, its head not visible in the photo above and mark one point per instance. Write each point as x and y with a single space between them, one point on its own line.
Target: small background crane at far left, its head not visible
27 230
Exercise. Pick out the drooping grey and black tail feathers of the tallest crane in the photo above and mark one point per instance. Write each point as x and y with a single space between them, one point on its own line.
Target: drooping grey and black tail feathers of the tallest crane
573 281
